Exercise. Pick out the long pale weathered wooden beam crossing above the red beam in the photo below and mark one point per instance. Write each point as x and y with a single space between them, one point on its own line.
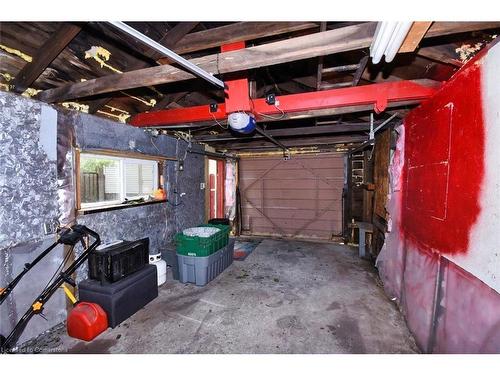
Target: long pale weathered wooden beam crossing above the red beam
314 45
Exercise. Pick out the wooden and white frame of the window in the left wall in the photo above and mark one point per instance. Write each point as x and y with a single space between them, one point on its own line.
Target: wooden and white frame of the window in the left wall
122 158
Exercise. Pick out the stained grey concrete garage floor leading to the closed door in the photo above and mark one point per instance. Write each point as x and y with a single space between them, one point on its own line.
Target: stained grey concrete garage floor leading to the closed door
286 297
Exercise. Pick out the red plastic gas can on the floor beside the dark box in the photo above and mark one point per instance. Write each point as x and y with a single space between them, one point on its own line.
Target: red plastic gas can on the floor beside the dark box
86 321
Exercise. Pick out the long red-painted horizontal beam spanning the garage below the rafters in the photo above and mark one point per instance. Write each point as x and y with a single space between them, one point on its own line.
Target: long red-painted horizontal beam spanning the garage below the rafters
378 94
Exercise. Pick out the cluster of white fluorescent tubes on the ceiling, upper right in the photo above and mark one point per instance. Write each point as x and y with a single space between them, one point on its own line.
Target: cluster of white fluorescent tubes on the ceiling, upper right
388 38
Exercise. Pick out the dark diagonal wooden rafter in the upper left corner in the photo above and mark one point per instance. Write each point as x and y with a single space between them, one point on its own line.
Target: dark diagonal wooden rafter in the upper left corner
44 56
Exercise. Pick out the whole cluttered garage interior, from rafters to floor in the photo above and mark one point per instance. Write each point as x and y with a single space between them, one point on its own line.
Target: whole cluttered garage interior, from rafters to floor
354 164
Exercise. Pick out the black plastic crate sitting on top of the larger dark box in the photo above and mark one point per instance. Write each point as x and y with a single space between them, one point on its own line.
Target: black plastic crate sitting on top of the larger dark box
114 262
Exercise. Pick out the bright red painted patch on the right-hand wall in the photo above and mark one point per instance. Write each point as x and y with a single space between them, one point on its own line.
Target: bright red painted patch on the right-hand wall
444 167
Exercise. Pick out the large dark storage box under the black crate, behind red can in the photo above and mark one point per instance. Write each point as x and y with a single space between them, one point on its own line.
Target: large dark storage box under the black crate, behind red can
123 298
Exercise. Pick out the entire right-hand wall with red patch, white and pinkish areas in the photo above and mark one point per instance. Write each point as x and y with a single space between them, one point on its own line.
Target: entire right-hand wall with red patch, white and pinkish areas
441 258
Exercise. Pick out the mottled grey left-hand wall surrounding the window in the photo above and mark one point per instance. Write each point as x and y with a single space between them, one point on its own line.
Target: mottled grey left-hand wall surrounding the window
37 186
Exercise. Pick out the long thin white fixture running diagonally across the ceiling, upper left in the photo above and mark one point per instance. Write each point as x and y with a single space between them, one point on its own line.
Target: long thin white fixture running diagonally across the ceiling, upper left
196 70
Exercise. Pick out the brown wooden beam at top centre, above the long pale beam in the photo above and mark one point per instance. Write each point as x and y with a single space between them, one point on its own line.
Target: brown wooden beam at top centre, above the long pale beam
237 32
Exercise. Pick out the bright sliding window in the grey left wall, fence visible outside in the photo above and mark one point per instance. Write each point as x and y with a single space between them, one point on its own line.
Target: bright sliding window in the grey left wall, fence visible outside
112 180
